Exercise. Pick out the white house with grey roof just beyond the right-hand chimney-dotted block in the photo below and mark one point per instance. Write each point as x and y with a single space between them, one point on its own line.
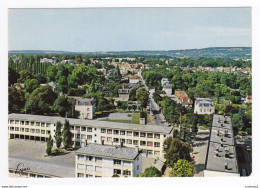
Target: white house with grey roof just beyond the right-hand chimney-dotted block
204 106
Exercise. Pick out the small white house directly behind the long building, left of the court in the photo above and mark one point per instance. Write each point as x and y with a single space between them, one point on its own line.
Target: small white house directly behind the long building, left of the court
86 107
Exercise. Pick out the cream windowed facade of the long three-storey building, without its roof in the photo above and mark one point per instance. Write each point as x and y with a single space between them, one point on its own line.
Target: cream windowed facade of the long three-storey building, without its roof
148 141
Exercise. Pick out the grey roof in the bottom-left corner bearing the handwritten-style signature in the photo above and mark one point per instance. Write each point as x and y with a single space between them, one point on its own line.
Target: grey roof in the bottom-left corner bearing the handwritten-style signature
41 167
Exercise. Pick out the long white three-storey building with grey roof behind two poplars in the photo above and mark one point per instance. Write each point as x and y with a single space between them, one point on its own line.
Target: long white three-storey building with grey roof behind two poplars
149 138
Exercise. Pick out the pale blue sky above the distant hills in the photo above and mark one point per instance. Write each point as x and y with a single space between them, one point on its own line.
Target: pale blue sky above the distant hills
127 29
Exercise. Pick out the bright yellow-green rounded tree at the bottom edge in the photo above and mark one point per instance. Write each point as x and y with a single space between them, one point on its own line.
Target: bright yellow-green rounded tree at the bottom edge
183 168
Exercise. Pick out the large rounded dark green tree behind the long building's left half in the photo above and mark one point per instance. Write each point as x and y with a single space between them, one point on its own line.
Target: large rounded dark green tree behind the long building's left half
41 100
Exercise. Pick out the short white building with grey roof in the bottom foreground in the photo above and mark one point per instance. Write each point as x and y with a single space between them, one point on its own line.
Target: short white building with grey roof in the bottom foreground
97 160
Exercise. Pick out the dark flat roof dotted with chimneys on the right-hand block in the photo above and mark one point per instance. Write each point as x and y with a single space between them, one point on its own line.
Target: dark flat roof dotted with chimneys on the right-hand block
221 154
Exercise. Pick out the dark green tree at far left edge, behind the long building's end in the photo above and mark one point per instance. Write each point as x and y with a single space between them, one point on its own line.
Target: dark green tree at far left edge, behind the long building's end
16 100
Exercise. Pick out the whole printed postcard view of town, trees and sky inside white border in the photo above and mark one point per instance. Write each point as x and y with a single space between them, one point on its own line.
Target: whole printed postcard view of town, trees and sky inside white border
129 92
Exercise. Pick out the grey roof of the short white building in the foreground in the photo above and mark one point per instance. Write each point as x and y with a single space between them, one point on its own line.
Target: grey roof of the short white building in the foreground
108 151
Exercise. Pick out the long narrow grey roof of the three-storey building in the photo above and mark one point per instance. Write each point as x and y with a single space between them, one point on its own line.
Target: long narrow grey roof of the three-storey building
94 123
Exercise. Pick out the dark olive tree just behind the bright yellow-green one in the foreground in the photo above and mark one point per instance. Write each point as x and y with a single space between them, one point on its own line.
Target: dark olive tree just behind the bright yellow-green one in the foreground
175 151
